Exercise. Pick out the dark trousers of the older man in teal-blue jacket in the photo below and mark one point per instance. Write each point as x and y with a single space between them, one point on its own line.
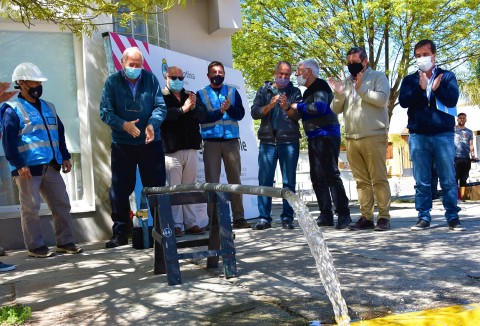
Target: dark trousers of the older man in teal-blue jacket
125 158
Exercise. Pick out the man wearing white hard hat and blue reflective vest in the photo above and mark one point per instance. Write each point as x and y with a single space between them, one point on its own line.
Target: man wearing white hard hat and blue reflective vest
34 145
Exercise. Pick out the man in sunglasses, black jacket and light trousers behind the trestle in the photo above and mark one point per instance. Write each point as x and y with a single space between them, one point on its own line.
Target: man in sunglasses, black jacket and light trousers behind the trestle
181 140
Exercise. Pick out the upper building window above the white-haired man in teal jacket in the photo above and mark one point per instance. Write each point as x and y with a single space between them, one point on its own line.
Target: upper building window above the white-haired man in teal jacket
154 30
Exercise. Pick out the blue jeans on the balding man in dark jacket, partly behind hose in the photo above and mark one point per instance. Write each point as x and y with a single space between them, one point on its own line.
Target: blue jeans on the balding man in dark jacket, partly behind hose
287 156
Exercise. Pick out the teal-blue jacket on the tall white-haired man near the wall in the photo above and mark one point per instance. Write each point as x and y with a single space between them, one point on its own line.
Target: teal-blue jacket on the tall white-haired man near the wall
118 105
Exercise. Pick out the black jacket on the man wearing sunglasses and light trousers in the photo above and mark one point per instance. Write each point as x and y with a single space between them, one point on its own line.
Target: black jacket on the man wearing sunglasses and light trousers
181 130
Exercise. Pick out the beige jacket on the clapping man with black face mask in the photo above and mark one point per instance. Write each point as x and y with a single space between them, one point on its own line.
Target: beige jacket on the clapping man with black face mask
364 113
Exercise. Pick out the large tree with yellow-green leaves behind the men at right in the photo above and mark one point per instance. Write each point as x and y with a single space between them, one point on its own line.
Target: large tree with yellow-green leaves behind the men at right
326 29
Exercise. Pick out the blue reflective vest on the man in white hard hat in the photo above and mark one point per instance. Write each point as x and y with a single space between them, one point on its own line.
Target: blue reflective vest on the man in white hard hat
33 138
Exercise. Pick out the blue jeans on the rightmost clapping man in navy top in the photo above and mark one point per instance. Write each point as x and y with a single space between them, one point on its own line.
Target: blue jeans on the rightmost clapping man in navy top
424 151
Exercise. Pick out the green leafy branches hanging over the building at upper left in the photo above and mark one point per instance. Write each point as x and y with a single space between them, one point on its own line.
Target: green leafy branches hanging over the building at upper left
79 15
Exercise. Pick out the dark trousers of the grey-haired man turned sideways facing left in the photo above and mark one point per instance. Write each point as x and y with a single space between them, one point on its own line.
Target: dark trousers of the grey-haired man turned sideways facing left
323 154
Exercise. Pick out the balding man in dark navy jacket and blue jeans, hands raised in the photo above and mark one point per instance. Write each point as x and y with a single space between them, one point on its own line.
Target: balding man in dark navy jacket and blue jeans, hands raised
279 135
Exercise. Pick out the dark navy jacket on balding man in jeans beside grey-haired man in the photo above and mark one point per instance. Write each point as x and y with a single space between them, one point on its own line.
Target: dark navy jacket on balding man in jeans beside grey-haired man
288 130
